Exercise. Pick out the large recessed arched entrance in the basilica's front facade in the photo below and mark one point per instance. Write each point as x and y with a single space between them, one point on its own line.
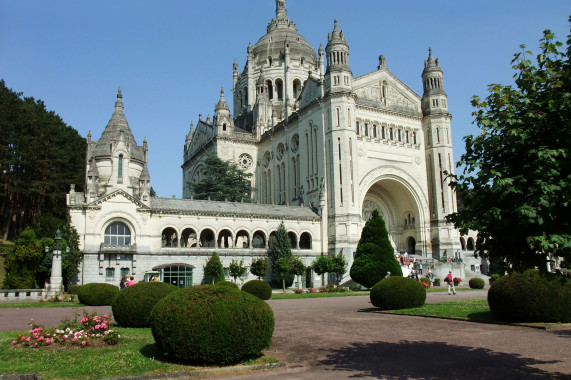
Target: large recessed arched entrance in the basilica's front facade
398 204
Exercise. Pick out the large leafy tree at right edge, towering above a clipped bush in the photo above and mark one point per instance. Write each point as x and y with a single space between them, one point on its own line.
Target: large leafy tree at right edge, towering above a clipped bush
516 183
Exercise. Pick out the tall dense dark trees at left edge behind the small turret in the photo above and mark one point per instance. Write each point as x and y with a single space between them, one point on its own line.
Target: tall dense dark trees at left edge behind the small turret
40 156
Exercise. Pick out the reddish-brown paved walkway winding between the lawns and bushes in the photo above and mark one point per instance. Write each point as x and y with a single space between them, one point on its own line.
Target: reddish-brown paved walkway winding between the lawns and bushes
333 338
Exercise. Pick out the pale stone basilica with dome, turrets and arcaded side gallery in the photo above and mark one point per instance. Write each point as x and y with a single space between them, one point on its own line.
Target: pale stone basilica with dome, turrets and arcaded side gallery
324 148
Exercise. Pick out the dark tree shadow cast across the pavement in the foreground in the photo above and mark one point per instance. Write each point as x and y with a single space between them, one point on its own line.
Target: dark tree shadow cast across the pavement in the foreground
432 360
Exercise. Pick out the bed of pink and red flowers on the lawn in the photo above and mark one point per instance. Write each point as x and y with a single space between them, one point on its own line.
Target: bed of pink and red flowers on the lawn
90 330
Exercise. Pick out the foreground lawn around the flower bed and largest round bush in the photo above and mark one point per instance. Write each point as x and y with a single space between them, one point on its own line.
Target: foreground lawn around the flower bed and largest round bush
137 354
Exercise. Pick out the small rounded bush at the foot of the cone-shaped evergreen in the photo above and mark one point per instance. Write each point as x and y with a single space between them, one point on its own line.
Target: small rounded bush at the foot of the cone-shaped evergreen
398 293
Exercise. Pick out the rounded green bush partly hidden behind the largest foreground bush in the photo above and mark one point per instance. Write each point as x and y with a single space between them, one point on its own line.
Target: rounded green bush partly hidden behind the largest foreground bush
132 306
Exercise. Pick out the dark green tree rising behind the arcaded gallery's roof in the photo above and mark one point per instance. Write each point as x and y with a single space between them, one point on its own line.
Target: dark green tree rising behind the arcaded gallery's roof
222 180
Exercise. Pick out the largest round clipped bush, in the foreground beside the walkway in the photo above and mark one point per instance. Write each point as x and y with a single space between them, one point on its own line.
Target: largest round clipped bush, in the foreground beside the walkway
212 325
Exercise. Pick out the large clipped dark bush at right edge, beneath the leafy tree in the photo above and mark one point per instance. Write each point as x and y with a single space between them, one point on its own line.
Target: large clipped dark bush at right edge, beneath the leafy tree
531 297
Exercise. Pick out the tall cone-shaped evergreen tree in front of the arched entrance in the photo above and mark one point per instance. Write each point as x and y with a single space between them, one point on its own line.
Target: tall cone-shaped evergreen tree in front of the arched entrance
375 255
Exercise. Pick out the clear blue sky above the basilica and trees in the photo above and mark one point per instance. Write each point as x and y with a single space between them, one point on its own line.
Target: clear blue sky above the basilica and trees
171 58
